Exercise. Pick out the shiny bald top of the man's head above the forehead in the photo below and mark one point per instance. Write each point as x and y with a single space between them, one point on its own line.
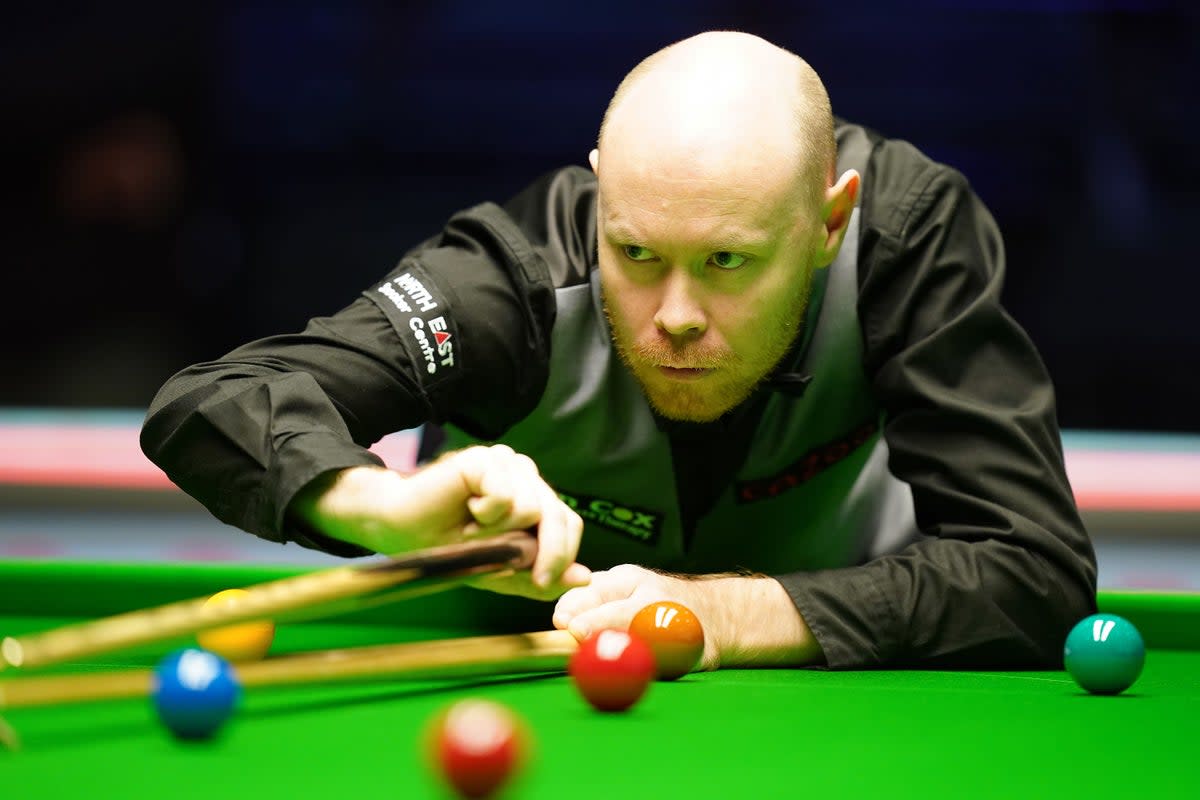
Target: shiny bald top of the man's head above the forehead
728 106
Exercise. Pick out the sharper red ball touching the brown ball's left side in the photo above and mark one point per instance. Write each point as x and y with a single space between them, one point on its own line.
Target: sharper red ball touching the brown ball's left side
613 670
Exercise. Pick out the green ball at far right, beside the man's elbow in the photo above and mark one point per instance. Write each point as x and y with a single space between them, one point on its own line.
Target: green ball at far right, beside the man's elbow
1105 654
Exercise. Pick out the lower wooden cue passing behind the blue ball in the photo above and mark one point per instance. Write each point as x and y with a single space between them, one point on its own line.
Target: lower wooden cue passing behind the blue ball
543 652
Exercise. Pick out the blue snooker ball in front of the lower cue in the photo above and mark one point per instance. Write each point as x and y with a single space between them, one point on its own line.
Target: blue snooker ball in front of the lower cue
195 693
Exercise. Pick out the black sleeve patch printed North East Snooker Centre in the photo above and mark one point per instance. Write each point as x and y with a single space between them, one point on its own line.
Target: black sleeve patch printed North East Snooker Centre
419 314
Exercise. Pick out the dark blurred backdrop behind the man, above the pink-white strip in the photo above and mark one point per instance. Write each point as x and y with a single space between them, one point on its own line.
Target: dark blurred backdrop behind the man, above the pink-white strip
177 181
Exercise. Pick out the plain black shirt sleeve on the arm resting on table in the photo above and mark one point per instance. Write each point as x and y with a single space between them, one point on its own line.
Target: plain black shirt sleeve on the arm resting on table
1006 567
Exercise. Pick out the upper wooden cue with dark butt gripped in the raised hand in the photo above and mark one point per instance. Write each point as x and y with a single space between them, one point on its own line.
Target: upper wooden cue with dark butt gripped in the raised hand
423 573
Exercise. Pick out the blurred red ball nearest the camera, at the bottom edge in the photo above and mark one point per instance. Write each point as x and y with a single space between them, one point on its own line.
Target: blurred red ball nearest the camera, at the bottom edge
478 747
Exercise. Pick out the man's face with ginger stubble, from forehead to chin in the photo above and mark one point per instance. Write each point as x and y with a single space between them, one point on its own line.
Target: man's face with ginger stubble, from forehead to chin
705 280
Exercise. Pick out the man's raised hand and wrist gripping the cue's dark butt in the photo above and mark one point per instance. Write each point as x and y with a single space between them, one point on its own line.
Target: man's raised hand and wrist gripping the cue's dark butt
471 494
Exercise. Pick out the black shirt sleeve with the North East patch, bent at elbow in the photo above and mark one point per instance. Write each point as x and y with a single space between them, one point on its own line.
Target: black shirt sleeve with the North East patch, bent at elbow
460 329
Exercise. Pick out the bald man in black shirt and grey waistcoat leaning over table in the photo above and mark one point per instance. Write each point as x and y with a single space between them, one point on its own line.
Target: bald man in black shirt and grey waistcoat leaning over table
775 368
